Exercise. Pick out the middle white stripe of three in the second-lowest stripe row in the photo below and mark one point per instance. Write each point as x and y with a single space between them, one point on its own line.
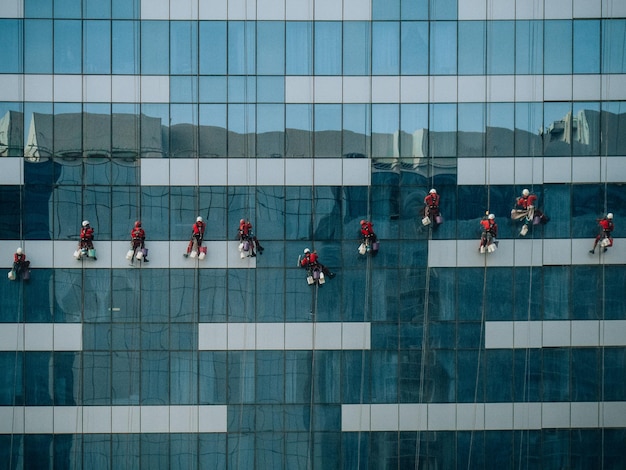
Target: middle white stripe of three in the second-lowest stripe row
284 336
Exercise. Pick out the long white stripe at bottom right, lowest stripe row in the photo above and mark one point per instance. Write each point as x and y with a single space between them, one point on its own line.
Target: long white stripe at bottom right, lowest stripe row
482 416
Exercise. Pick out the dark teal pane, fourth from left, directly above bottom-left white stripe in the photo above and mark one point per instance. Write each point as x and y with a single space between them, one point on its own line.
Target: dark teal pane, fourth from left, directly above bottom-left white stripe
96 379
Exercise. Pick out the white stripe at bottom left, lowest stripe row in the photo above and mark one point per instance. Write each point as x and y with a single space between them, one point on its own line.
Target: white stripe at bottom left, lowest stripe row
113 419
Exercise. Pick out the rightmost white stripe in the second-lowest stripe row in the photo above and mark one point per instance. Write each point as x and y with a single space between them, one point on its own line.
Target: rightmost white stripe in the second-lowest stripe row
554 334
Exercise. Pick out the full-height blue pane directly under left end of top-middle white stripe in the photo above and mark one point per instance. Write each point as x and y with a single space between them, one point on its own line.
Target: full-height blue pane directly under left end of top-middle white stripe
155 47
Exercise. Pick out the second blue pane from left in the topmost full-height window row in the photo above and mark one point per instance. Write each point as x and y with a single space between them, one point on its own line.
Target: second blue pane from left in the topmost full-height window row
38 46
